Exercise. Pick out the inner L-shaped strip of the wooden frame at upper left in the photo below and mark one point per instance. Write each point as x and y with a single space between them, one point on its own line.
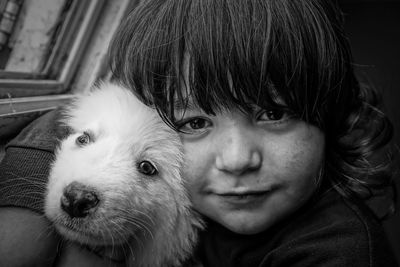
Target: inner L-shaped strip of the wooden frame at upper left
67 52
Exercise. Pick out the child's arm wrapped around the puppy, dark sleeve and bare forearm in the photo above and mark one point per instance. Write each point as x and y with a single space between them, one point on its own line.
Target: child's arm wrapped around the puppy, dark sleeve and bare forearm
27 238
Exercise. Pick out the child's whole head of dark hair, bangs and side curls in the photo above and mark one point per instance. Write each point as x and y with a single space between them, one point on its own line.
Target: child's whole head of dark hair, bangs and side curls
242 51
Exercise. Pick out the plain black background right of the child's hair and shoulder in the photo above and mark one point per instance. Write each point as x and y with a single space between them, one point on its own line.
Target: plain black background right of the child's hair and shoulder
373 28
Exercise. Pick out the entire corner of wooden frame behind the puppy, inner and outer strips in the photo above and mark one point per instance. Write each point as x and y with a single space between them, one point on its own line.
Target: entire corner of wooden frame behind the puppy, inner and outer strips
35 93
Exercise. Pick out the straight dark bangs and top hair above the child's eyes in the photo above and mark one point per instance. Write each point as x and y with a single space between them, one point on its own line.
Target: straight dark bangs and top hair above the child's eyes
224 54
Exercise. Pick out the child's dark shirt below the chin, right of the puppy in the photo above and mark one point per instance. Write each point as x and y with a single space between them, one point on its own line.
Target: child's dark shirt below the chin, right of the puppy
328 231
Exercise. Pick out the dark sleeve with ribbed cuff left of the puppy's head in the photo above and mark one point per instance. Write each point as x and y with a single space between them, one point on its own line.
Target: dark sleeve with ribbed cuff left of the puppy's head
25 167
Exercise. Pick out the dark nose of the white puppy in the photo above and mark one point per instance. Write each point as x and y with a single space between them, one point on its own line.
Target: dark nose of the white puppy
78 200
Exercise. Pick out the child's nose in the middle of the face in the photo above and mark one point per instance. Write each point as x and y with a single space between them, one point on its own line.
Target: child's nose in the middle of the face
238 152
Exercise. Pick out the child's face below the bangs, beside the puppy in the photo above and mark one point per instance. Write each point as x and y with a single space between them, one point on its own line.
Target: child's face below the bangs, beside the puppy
248 171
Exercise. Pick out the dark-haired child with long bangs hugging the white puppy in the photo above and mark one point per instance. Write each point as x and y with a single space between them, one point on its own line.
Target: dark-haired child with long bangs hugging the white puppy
282 143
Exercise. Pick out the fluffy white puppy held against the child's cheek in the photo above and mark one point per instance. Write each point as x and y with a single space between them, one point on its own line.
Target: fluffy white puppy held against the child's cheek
116 180
